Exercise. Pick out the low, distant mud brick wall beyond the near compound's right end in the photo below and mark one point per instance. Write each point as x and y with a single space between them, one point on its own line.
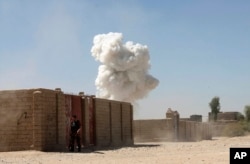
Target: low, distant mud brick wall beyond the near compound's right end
171 129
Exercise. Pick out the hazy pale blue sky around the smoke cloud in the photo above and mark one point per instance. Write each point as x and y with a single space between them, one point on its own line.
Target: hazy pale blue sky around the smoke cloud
198 49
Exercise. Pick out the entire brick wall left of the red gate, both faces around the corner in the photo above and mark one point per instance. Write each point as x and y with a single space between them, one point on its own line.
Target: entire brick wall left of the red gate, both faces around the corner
31 119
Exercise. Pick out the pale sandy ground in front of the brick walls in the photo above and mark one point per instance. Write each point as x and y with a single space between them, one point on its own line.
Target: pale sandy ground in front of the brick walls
204 152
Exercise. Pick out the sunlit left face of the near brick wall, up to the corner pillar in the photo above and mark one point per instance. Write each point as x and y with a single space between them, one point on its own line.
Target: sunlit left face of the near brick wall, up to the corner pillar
16 120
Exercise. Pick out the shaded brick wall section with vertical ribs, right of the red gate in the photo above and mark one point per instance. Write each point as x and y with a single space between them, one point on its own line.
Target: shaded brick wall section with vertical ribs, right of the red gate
113 121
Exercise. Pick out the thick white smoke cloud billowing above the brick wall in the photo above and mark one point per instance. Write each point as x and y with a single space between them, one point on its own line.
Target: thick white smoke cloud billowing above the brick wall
123 73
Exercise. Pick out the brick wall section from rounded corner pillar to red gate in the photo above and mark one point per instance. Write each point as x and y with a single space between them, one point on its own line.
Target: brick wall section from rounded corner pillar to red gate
49 120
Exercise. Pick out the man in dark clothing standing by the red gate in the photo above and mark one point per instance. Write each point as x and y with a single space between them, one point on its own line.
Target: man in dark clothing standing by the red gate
75 127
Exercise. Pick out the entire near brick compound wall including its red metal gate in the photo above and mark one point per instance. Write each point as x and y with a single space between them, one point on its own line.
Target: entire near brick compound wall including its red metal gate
39 119
